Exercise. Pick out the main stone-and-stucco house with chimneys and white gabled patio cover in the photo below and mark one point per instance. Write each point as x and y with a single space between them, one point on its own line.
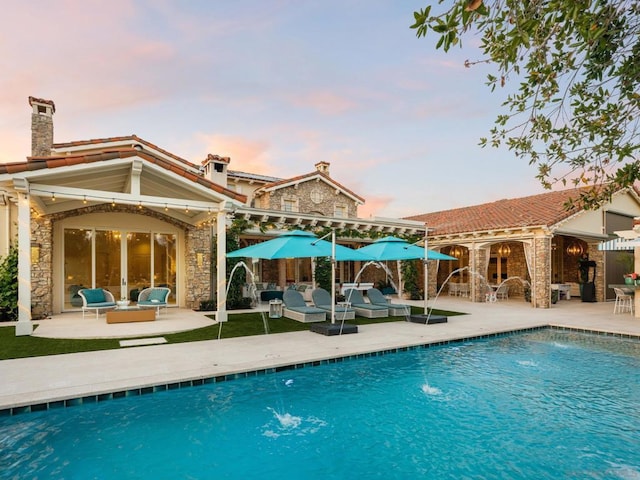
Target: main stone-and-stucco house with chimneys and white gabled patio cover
122 213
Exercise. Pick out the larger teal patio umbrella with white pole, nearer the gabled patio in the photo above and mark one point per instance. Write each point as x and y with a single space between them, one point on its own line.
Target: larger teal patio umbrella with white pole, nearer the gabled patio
300 244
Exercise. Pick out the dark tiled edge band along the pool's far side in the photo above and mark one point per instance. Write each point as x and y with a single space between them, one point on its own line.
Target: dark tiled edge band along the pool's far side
193 382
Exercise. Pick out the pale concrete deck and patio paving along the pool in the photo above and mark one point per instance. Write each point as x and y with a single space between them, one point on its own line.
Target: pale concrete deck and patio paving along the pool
45 380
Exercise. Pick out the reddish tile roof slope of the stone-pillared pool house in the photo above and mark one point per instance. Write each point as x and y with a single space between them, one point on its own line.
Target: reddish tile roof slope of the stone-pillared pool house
544 209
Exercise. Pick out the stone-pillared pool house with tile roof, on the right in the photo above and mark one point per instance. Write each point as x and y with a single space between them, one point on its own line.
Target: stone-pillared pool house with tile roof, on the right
532 242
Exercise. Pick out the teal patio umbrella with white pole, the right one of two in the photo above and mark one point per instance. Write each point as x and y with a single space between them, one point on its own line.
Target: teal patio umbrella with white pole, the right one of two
393 248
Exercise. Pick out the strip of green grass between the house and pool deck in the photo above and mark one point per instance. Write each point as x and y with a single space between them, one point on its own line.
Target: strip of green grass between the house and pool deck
239 325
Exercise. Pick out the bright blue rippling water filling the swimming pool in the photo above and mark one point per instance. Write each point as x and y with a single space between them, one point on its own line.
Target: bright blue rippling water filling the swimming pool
544 404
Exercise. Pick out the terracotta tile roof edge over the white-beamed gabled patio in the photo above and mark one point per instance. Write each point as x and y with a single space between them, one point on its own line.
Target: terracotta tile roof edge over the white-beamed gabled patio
42 163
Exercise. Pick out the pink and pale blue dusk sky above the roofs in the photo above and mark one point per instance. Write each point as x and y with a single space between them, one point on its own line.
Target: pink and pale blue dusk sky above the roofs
276 85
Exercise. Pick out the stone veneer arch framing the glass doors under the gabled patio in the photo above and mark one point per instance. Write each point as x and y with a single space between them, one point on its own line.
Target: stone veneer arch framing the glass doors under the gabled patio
198 240
